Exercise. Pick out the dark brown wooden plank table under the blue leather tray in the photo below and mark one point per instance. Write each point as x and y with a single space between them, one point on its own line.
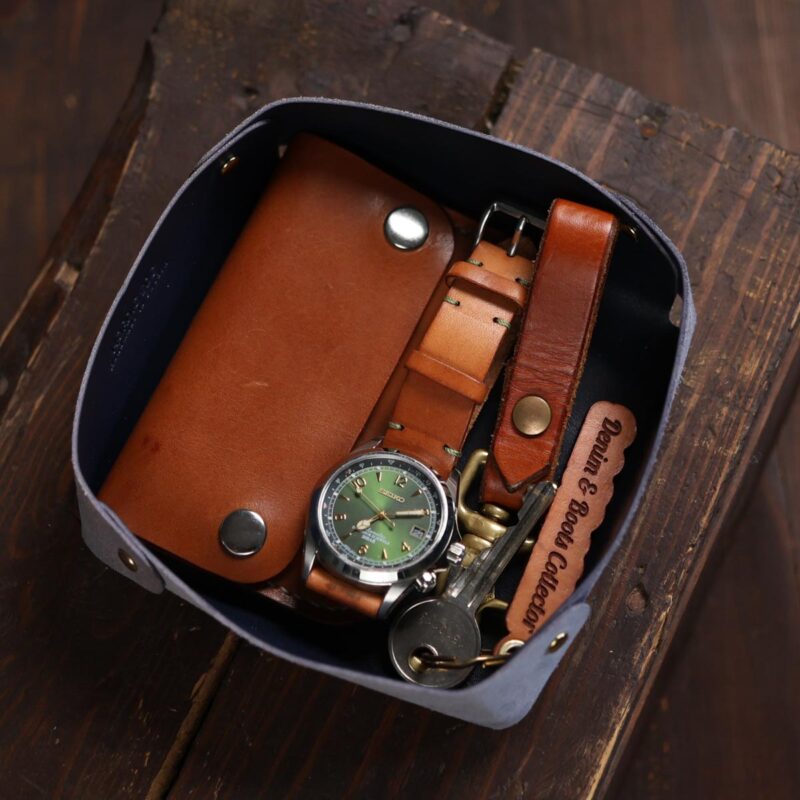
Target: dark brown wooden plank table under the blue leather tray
108 691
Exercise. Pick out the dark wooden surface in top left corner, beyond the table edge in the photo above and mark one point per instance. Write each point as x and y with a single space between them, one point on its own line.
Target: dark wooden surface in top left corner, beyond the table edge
67 68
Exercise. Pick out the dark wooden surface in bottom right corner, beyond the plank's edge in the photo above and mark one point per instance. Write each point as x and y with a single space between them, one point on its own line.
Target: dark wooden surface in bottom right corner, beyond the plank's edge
723 722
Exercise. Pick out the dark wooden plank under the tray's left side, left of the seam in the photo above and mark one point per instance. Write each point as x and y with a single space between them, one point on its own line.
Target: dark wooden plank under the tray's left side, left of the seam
102 684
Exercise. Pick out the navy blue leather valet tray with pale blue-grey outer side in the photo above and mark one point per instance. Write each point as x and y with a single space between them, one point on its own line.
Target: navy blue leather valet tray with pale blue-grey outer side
636 358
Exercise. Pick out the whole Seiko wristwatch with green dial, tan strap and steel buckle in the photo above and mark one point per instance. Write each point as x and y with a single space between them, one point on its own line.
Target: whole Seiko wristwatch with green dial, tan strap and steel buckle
384 517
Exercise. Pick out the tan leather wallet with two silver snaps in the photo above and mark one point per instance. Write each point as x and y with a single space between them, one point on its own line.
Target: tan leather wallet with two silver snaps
288 363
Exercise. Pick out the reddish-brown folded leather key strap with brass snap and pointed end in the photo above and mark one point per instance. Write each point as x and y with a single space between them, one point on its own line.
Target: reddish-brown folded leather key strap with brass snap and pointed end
543 377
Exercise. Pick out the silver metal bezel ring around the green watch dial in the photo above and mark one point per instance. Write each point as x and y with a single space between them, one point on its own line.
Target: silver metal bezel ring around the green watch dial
376 576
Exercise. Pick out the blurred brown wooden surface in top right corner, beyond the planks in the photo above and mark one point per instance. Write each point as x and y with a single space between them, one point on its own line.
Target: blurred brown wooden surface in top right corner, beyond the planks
731 60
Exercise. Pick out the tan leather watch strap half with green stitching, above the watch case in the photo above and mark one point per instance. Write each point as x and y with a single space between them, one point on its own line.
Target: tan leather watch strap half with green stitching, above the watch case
452 370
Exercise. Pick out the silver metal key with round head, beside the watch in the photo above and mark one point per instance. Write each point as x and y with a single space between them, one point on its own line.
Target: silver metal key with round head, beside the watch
446 626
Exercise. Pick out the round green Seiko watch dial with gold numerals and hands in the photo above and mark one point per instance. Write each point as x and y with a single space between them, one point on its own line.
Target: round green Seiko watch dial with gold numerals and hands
381 512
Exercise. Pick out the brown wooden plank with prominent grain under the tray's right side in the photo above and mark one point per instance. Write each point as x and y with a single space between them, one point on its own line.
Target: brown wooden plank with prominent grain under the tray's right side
730 201
